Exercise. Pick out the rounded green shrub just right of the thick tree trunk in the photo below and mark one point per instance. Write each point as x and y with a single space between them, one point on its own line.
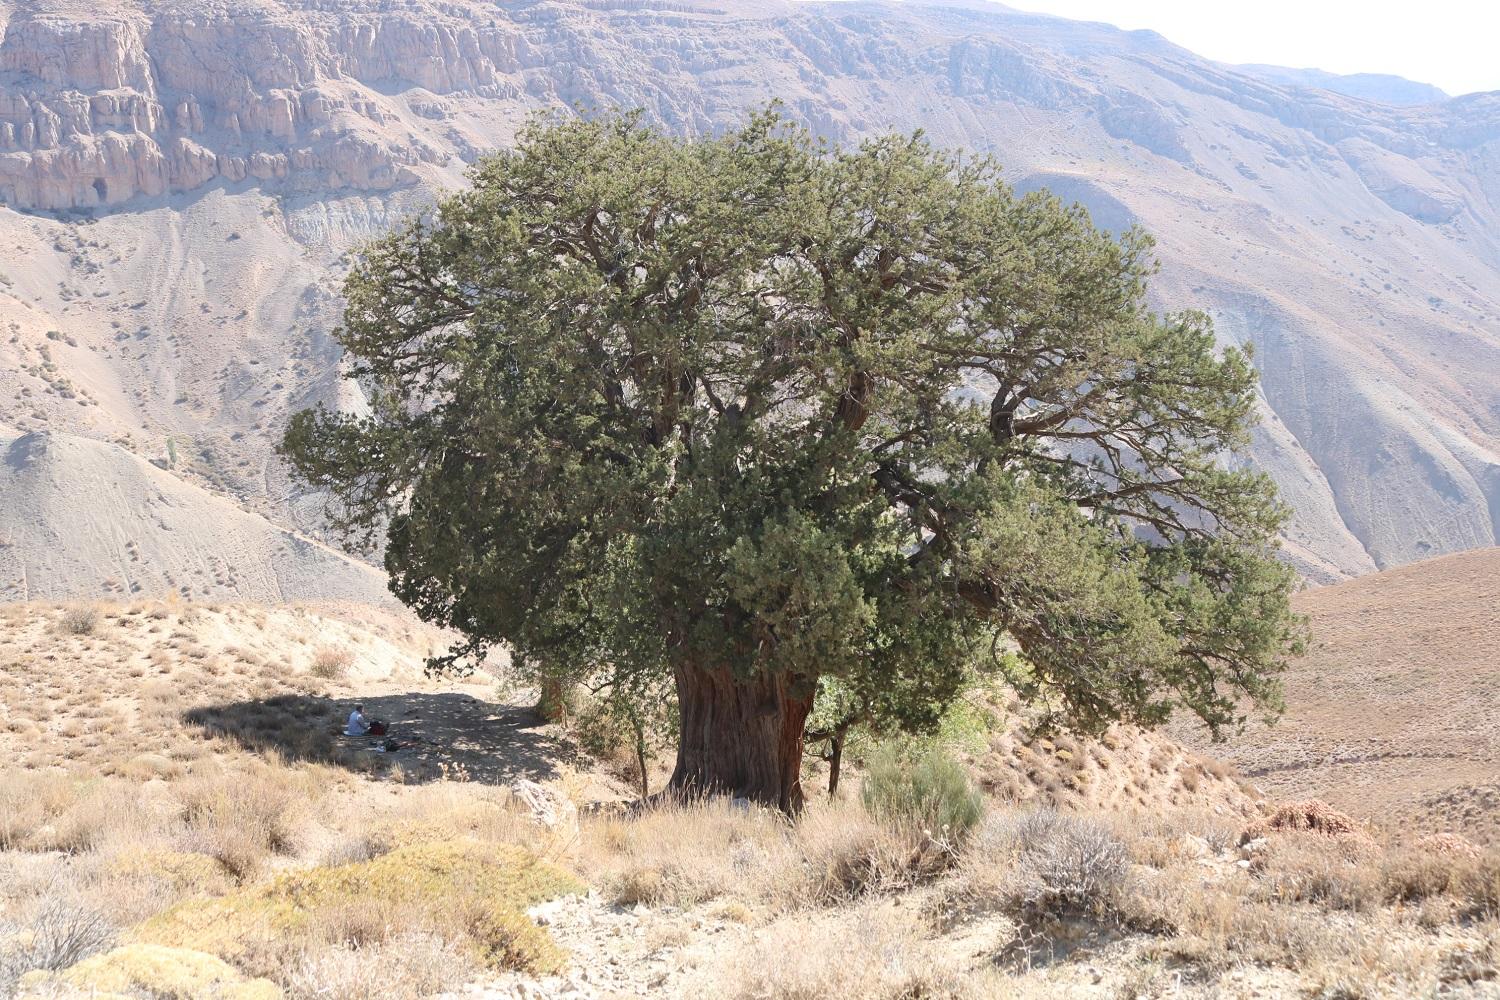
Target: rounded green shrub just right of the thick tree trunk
932 792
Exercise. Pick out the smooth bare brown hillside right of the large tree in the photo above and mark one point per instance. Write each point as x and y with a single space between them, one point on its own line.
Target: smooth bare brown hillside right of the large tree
1396 711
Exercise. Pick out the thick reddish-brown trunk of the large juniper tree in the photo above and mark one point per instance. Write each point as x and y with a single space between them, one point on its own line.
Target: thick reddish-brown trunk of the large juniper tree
742 737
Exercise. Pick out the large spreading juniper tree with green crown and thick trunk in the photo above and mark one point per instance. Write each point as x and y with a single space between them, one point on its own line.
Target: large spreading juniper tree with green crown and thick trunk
745 413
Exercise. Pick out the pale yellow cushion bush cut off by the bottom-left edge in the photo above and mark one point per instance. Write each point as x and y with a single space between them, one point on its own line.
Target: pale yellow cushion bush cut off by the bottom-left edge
158 971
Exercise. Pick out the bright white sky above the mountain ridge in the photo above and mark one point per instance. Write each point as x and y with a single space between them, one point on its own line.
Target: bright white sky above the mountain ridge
1451 44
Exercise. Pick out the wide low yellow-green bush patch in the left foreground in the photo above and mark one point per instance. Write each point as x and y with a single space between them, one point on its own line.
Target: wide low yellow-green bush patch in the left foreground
466 891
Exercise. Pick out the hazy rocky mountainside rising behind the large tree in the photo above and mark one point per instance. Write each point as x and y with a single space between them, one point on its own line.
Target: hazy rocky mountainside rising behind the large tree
182 179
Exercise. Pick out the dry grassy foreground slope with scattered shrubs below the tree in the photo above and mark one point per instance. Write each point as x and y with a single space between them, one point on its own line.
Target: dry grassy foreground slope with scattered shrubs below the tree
241 867
